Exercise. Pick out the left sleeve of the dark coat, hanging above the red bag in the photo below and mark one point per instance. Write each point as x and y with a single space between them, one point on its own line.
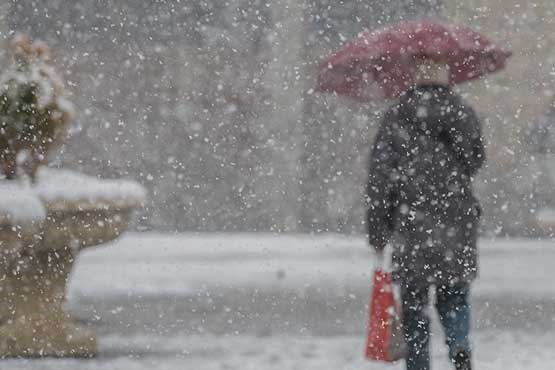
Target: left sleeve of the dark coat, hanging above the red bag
380 192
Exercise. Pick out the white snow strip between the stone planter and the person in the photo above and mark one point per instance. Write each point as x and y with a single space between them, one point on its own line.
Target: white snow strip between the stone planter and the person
185 263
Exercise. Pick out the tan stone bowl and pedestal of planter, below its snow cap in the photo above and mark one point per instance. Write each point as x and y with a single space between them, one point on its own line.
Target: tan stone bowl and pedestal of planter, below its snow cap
35 266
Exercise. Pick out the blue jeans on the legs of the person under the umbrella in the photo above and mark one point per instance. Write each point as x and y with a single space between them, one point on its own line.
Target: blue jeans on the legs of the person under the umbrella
454 312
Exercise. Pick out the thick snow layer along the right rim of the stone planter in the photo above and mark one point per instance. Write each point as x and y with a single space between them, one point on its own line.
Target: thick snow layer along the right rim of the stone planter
56 186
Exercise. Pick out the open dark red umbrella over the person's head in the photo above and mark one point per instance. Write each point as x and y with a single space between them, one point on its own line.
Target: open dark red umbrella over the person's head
383 63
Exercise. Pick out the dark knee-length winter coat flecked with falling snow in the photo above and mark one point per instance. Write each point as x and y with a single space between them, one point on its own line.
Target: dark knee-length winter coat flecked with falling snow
419 196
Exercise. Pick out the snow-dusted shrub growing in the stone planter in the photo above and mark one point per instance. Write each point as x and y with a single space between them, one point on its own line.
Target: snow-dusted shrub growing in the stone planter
34 113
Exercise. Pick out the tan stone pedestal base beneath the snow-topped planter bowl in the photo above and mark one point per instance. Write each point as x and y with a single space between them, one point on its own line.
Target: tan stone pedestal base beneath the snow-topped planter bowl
33 294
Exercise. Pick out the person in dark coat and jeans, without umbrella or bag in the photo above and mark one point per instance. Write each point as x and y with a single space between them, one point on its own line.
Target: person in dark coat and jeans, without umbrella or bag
427 150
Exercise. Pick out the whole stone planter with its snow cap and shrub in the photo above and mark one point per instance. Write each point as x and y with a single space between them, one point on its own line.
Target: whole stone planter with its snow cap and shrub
47 216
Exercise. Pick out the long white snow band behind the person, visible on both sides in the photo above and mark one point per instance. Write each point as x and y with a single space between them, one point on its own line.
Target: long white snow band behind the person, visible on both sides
181 264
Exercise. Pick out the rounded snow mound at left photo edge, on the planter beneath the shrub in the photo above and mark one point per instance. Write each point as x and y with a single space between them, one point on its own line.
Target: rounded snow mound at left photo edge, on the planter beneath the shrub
19 204
